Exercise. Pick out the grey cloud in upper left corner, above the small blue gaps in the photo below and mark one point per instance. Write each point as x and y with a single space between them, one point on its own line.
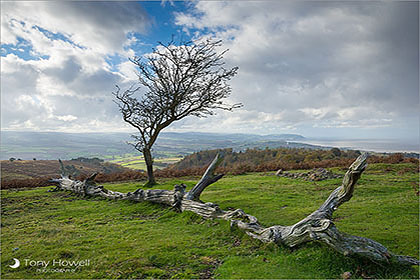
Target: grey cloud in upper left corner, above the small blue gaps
102 26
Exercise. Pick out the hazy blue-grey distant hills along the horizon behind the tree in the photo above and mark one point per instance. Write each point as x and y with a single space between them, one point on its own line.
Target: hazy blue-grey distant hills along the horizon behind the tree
53 145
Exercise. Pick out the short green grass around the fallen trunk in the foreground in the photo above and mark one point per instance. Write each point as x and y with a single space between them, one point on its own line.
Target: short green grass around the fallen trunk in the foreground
142 240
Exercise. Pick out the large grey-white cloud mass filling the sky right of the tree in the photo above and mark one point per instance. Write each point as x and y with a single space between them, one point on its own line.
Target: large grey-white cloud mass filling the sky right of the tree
335 64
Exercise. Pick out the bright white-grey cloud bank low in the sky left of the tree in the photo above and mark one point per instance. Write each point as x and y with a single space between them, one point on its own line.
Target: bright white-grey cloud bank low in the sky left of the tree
93 101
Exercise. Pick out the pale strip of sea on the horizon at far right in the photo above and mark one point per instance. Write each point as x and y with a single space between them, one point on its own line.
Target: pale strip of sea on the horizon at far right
373 145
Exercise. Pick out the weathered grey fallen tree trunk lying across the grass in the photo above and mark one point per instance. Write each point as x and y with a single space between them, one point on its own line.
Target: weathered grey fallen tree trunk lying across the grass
318 226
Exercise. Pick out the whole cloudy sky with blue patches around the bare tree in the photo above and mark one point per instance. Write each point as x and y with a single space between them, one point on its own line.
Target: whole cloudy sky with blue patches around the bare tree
320 69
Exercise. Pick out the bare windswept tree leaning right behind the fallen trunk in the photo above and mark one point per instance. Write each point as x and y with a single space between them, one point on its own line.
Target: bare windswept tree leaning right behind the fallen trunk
174 82
